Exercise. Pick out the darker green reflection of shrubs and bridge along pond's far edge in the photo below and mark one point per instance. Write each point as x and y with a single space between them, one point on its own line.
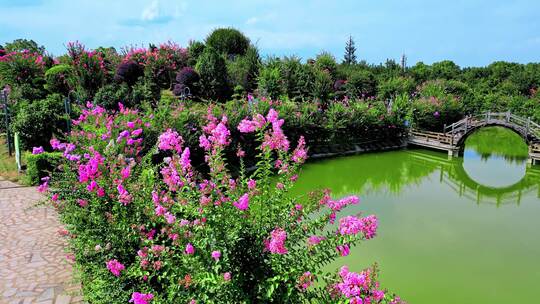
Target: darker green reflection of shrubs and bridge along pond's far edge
493 170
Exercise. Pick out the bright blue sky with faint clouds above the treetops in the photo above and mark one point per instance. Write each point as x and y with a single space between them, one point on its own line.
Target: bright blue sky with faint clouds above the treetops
469 32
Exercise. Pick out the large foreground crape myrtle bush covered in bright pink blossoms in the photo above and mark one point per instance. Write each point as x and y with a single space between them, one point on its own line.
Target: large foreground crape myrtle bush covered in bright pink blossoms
145 226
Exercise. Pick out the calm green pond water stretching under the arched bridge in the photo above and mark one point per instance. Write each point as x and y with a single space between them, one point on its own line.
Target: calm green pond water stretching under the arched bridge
461 230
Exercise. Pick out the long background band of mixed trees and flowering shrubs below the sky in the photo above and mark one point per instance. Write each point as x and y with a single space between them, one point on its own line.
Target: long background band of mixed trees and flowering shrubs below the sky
226 66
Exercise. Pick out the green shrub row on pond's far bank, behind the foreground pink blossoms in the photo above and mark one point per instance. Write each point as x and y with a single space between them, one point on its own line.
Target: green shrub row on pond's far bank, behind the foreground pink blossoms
338 129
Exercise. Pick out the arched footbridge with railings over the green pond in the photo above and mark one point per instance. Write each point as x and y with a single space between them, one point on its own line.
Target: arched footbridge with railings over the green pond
454 136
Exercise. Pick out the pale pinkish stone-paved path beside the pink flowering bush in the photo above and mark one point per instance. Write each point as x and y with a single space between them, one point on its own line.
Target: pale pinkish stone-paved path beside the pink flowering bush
33 264
